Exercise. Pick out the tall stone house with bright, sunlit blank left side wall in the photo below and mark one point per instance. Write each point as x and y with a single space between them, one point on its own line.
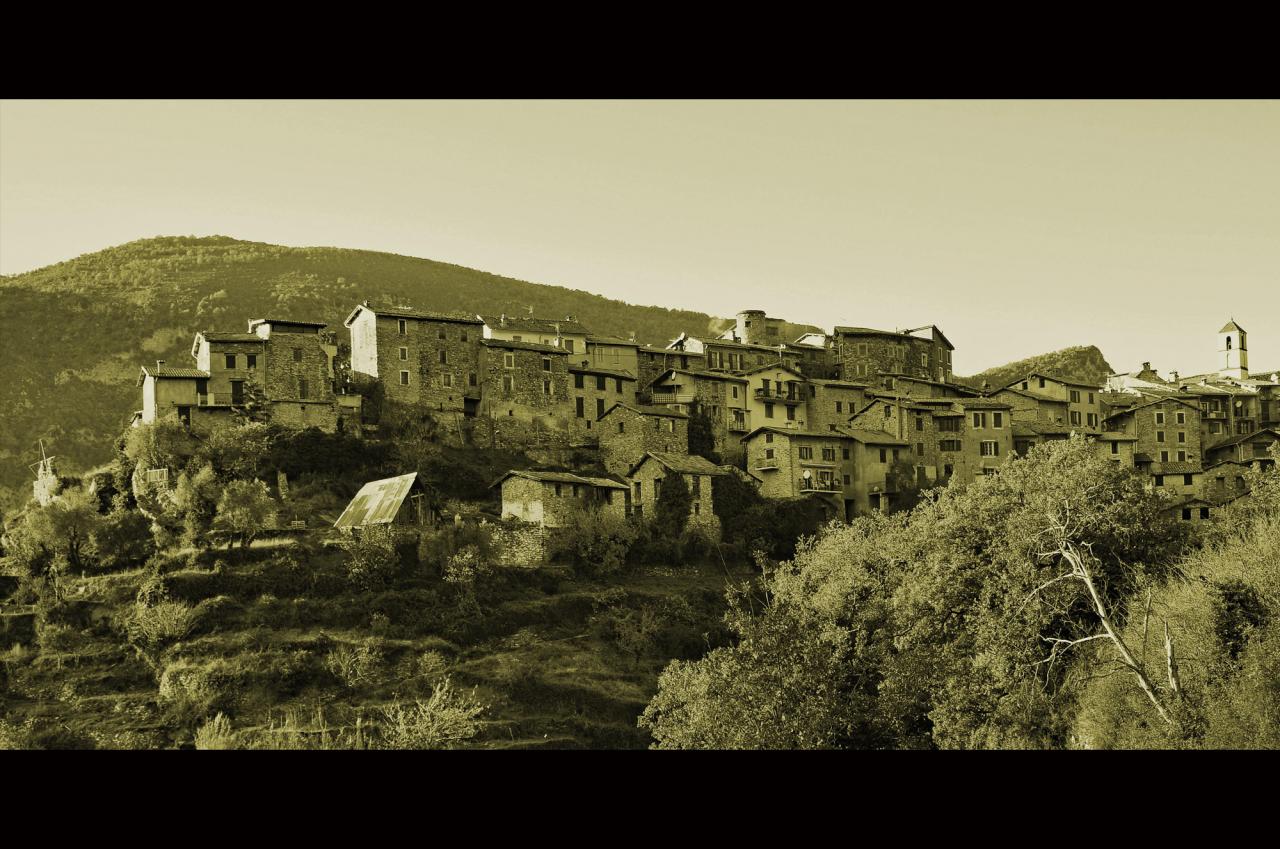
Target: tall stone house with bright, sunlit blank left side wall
423 359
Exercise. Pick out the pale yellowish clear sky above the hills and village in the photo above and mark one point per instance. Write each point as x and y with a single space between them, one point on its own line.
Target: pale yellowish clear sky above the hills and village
1018 227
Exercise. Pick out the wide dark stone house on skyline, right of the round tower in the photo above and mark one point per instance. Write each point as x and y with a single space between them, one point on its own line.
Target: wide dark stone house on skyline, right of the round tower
924 353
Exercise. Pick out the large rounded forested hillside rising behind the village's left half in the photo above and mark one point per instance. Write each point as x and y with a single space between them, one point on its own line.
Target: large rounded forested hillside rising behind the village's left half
74 335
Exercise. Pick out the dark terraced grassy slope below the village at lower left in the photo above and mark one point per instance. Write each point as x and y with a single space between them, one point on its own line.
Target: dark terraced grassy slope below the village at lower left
541 655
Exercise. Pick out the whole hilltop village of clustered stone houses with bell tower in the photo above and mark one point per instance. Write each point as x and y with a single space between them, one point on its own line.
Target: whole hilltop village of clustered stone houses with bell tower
856 418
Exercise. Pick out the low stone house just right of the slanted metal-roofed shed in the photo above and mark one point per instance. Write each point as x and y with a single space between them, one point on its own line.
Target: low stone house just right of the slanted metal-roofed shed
548 499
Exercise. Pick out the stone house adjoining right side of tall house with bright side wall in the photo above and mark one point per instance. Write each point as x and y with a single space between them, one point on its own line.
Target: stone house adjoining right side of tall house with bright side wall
528 382
